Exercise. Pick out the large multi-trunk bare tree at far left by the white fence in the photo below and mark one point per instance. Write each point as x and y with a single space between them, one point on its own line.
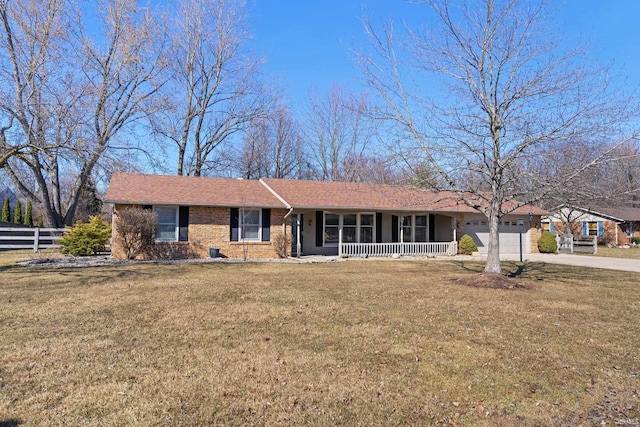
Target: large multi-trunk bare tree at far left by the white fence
66 93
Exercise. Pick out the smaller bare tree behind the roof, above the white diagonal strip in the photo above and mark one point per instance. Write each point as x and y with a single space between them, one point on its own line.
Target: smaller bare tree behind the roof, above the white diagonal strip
272 147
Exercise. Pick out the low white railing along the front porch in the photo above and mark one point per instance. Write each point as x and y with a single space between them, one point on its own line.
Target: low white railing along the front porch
390 249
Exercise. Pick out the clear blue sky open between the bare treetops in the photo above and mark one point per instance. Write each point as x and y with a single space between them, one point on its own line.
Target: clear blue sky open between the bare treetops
306 43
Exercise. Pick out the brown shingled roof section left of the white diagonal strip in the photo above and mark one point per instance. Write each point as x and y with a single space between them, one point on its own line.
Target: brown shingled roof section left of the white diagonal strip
129 188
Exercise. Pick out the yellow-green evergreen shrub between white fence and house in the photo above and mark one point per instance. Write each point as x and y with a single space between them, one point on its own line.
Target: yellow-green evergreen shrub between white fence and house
86 238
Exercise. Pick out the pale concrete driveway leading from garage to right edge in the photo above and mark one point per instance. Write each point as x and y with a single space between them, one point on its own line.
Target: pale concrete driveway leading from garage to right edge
579 261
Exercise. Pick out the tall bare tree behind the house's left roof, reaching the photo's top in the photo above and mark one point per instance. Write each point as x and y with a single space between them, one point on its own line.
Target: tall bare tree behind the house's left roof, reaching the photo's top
214 89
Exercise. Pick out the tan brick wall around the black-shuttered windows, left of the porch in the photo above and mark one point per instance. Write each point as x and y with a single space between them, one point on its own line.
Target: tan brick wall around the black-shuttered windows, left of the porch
209 227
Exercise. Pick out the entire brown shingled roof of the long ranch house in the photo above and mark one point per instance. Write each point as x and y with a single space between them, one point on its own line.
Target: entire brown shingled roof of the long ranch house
129 188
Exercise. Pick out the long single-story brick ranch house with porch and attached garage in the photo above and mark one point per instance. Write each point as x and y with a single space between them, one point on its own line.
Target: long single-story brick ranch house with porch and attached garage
242 217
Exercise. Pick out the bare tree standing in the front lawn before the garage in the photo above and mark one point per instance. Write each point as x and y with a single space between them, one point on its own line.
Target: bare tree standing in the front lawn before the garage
509 94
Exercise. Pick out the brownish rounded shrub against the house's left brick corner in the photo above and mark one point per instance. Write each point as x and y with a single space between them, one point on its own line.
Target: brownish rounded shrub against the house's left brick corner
135 229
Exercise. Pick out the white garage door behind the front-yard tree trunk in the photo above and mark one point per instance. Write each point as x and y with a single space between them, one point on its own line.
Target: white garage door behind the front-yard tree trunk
509 236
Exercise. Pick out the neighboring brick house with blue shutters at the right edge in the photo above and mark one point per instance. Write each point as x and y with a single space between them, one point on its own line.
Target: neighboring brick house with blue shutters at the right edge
610 225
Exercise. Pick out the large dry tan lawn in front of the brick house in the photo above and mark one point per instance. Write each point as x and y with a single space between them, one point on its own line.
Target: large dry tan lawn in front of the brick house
352 343
